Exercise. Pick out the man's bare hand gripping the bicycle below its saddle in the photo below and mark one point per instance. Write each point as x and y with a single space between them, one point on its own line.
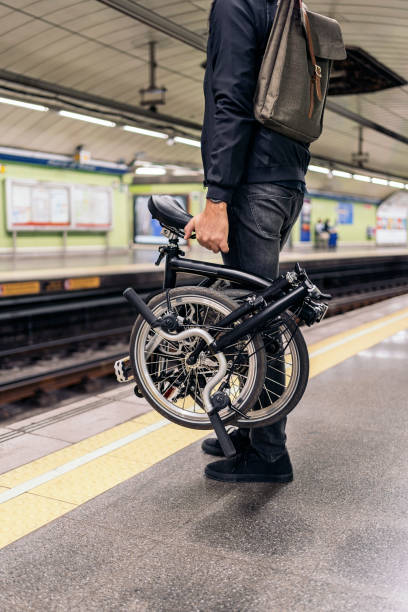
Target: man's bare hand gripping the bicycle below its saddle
211 227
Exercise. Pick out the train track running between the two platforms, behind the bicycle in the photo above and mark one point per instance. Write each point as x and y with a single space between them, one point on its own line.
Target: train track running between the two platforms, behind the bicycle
25 385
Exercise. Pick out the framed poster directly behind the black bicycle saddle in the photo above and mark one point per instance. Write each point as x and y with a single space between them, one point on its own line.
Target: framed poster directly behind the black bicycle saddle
146 229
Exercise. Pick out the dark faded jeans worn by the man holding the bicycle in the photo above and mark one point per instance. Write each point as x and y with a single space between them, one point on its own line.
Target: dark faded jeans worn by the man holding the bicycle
261 216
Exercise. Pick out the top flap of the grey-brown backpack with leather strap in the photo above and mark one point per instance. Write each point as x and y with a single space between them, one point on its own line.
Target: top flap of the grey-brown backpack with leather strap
327 37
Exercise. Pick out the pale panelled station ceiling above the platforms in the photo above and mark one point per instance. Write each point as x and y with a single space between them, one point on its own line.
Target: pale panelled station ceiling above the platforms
92 48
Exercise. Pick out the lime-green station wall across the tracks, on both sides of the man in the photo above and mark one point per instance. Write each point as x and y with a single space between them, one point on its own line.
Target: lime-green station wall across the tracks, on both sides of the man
121 236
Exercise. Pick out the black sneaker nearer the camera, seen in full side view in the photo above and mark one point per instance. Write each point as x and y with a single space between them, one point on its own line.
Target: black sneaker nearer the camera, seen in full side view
250 467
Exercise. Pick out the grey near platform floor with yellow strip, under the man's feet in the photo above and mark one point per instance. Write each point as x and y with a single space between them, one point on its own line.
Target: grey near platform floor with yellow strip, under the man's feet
105 505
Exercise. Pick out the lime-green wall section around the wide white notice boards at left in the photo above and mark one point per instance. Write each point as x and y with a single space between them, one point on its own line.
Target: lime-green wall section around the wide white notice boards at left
117 237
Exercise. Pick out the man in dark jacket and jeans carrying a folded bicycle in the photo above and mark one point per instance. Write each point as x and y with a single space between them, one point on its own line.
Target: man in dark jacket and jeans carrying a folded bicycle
256 183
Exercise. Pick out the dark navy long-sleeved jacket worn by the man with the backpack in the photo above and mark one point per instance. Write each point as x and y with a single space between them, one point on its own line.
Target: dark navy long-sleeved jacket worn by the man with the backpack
235 147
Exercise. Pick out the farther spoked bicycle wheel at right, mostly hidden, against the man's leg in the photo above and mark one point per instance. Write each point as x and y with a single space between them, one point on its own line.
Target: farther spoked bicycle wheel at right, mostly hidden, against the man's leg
287 373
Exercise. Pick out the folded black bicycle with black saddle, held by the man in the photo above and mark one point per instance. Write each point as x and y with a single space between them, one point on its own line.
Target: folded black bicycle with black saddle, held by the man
225 351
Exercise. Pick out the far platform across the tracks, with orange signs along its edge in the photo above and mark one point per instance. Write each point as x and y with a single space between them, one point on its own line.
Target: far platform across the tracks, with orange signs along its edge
53 274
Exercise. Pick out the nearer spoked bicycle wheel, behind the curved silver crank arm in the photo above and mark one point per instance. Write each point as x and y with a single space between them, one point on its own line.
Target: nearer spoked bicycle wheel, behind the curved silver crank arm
175 388
